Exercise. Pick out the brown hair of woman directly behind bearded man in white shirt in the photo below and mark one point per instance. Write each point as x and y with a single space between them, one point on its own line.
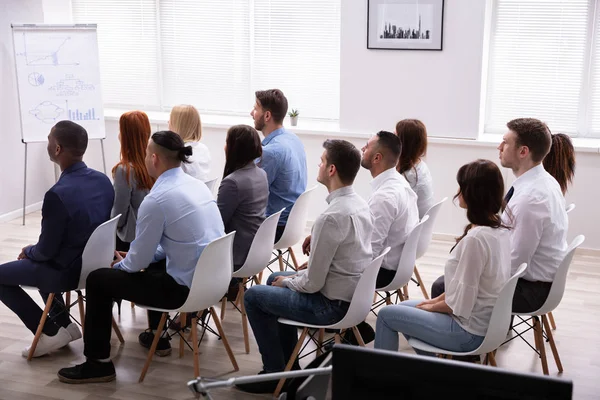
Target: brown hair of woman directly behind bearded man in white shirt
413 136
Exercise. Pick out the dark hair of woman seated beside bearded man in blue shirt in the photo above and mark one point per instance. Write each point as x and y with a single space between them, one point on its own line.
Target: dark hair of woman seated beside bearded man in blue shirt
243 146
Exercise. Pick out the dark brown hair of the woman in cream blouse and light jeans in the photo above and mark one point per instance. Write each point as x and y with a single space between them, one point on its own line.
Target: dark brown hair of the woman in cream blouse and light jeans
481 186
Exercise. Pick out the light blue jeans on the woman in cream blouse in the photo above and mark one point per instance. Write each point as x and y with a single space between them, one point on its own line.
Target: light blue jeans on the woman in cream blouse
437 329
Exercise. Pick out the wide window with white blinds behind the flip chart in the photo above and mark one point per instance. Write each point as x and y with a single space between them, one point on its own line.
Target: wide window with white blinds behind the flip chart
215 54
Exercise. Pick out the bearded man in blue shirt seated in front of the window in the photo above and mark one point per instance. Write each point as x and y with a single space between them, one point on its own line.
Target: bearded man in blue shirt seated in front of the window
283 158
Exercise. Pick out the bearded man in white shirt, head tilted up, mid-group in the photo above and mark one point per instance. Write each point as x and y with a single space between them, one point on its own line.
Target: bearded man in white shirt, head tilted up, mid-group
393 204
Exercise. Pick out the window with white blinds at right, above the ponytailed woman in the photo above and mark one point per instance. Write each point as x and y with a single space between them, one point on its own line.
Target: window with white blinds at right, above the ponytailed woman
544 63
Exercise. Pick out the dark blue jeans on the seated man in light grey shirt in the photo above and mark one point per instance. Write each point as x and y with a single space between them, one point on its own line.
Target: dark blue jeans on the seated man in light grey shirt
265 304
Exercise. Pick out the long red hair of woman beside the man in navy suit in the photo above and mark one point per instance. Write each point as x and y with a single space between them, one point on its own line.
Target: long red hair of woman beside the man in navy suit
134 128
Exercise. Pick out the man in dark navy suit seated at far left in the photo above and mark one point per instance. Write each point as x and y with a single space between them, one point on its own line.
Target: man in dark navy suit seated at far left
79 202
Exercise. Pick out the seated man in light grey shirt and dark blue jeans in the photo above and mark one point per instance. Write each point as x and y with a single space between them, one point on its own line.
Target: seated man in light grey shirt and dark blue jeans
340 250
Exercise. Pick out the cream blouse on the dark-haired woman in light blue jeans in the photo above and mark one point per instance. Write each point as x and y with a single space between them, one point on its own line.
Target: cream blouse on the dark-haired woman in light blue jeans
474 275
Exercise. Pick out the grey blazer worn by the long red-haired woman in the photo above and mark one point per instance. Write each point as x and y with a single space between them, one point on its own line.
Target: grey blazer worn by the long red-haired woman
128 199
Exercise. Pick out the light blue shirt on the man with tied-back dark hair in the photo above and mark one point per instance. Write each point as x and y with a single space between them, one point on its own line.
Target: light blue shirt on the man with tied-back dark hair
176 221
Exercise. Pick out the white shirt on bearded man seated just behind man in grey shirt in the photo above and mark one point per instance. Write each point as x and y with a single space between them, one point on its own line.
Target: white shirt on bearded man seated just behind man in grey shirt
394 213
